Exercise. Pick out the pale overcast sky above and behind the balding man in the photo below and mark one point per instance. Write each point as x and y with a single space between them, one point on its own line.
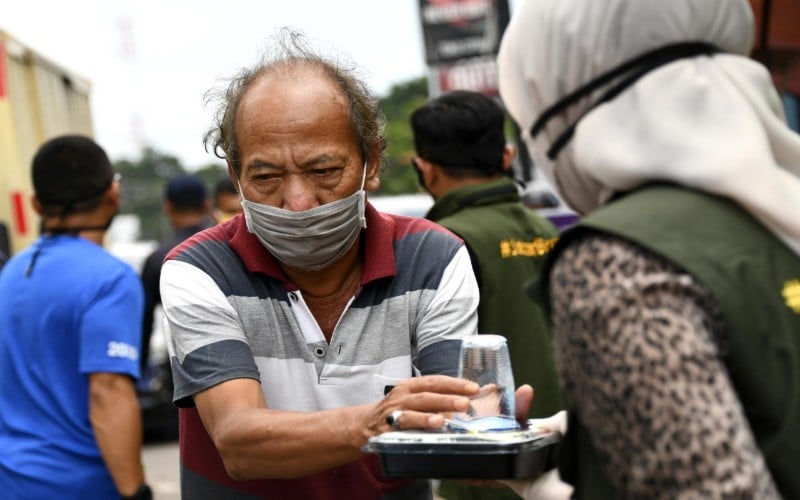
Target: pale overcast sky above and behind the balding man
150 62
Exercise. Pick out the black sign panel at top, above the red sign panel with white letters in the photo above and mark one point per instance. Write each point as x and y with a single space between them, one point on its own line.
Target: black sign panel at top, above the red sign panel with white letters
461 29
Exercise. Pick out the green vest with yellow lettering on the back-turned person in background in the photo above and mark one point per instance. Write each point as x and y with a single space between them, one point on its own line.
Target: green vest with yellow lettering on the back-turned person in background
507 243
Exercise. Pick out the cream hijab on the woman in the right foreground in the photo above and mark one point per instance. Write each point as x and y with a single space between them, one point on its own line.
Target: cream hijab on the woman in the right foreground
713 123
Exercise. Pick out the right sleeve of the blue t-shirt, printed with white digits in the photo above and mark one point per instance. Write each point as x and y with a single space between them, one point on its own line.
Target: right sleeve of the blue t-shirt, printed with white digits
111 326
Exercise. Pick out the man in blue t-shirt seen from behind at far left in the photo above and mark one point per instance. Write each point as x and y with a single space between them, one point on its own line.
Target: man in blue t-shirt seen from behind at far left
70 326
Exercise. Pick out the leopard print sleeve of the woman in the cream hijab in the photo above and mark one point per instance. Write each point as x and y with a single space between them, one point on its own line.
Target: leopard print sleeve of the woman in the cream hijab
638 343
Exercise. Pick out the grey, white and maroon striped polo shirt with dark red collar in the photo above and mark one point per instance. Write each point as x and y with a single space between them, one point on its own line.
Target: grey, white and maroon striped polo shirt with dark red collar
233 313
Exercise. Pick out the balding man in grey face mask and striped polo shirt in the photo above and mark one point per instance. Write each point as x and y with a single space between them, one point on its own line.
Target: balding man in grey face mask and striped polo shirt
299 329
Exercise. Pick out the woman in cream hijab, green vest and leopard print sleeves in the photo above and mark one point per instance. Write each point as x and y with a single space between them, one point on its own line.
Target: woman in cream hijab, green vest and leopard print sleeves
675 303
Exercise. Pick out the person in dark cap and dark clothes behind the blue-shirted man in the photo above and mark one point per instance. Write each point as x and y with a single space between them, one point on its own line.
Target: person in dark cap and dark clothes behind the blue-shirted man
186 206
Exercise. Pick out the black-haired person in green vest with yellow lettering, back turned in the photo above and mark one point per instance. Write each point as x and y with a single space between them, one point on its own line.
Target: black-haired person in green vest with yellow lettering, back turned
464 162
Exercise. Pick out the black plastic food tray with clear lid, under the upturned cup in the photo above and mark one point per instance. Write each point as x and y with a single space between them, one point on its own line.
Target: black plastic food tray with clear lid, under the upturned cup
482 455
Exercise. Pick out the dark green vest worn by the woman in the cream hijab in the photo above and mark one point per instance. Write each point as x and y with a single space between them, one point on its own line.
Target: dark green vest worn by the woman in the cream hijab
756 280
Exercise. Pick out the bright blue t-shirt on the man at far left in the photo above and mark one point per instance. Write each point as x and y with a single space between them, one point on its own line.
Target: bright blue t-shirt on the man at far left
68 308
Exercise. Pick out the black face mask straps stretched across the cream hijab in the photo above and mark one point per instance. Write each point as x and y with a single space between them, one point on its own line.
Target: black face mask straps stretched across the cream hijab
628 72
